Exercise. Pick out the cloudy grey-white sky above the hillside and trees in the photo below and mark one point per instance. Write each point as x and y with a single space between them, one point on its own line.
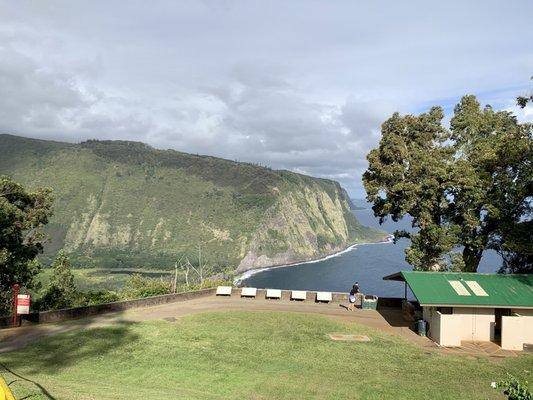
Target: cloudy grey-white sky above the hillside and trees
298 85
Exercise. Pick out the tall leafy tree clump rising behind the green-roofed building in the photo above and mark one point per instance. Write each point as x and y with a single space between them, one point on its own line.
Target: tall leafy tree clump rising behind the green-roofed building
467 186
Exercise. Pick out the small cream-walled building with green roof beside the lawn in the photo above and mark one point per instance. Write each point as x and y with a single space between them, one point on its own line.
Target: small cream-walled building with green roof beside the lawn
474 307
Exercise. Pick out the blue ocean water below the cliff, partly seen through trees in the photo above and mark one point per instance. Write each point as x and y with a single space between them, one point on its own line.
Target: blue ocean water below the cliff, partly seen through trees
367 264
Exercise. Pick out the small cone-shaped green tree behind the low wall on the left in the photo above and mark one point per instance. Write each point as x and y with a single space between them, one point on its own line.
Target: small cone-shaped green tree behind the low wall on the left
62 291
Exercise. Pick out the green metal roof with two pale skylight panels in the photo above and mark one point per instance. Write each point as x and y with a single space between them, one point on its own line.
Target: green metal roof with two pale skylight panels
469 289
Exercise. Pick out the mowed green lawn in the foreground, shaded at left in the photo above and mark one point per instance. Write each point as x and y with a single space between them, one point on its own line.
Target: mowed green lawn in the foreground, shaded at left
246 355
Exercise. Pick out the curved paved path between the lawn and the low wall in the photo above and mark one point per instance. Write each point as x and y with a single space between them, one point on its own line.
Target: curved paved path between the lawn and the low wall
388 320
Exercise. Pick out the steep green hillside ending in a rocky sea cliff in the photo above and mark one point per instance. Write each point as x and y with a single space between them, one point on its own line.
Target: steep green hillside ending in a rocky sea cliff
121 203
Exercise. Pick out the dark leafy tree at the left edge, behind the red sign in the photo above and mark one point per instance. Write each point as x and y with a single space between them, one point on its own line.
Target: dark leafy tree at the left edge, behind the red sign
22 216
